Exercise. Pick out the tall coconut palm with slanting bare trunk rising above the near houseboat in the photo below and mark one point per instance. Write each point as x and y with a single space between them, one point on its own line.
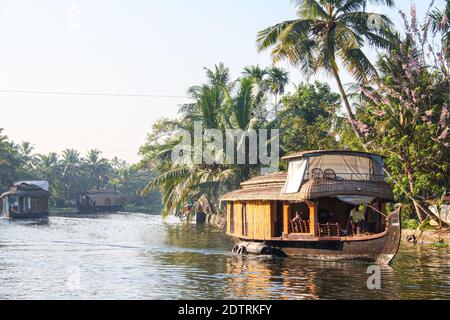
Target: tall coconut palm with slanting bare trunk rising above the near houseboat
327 33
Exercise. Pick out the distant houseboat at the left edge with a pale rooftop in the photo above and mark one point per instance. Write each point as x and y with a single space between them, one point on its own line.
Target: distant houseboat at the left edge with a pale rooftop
26 200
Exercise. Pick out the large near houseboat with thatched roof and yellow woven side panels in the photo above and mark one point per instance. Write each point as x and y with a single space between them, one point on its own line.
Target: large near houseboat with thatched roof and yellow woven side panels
330 205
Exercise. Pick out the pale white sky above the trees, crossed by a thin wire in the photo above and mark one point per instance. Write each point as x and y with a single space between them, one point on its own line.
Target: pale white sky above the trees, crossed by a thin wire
121 47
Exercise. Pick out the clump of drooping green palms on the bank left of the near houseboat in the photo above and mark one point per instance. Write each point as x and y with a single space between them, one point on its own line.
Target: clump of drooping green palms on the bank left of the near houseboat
220 104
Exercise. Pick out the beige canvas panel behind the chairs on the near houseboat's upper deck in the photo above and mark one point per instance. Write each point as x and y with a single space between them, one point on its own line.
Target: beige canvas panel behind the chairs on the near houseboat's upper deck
346 166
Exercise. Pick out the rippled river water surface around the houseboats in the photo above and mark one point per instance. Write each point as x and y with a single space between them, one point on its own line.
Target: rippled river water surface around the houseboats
134 256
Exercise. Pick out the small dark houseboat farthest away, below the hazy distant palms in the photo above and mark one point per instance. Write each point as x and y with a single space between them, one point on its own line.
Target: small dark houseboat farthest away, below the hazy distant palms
100 201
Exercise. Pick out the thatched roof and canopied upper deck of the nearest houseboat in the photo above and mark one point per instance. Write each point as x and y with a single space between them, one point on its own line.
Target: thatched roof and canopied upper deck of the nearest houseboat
351 174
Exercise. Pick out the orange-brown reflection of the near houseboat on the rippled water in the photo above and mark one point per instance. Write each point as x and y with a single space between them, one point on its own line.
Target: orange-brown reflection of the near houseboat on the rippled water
294 278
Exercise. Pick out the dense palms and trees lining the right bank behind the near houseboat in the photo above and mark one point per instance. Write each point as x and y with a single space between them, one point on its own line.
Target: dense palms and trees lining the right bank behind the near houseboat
398 106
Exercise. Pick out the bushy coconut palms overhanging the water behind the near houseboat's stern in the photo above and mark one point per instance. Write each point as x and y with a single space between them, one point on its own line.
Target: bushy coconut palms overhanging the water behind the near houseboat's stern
218 105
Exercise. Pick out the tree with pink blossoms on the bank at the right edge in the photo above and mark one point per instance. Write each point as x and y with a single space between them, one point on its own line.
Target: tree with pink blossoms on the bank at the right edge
406 117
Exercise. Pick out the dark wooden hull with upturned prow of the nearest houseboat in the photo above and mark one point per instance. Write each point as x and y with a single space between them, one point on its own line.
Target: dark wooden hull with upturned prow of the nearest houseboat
380 248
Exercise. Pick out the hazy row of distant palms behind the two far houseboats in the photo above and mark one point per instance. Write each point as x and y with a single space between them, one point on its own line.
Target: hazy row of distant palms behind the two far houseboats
70 174
